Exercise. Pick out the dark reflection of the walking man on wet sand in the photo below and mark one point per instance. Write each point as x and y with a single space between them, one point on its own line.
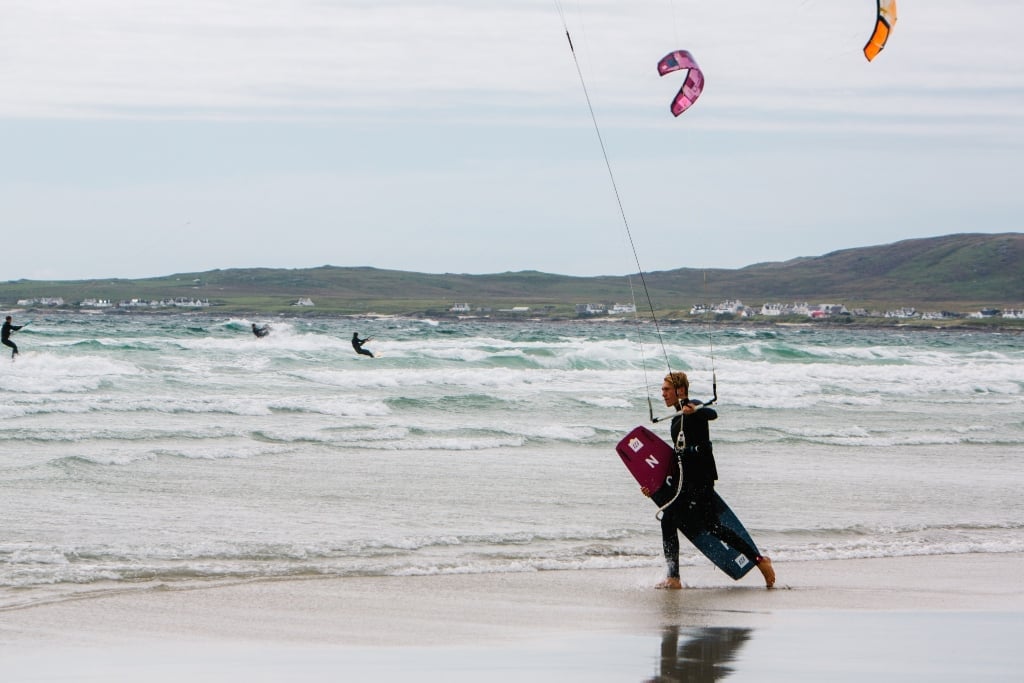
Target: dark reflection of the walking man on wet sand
702 657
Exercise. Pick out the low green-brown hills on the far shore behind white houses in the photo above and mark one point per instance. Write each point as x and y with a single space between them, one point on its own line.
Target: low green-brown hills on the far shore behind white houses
957 272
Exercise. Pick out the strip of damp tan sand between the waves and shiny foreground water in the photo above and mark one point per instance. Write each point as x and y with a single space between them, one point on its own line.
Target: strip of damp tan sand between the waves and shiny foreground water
494 608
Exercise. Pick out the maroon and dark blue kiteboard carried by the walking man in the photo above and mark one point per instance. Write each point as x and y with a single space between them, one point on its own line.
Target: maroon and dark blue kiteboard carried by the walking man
650 460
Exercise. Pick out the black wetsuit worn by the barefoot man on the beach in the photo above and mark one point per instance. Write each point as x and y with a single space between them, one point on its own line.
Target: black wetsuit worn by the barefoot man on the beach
694 509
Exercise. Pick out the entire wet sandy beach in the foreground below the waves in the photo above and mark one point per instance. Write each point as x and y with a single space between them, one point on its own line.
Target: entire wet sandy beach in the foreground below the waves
944 618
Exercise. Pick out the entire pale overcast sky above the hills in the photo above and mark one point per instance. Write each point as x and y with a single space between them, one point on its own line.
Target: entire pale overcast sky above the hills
150 138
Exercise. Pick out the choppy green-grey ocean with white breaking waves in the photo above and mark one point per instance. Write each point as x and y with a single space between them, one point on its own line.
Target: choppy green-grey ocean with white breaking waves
140 451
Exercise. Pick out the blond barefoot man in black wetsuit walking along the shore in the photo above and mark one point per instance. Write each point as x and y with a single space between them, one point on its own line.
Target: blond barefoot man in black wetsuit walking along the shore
694 508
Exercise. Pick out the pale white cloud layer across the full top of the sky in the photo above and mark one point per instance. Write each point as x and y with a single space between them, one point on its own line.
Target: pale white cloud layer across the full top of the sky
770 65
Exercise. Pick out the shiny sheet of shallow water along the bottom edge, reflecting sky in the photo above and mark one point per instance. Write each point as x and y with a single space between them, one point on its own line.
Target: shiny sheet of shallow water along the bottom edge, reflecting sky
813 647
